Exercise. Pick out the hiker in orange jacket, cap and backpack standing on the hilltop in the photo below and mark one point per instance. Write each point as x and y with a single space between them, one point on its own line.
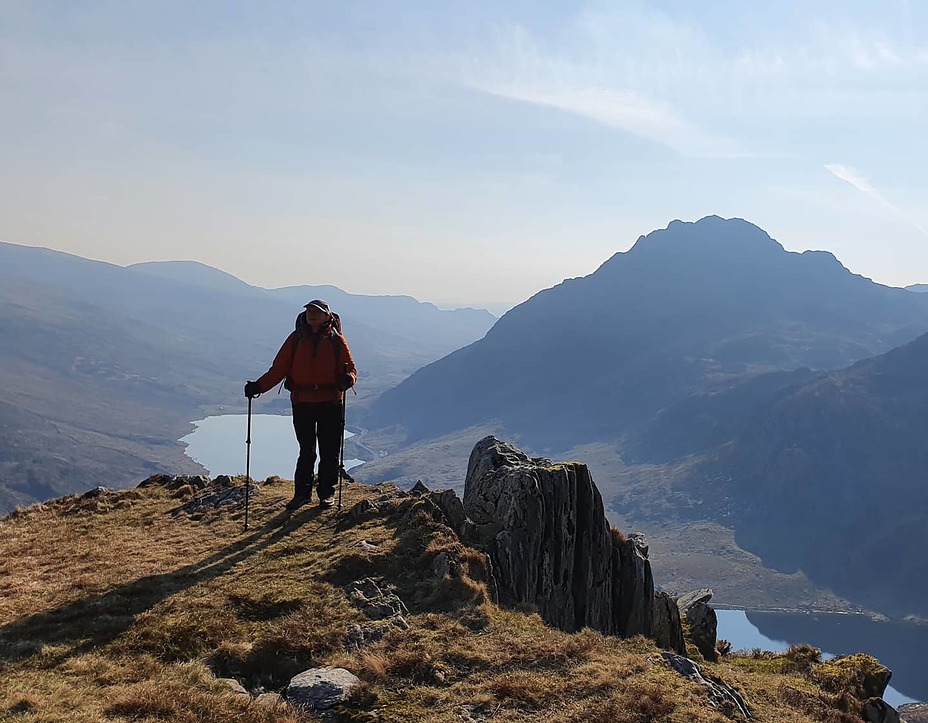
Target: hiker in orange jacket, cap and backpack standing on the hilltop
316 362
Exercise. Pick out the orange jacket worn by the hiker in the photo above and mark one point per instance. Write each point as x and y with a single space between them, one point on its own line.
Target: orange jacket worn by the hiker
314 369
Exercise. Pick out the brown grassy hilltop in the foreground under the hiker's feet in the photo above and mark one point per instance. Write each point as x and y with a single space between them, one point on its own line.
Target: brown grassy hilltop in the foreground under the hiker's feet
112 609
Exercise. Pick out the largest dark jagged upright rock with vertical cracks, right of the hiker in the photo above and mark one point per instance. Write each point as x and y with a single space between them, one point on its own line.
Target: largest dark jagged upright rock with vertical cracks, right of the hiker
553 547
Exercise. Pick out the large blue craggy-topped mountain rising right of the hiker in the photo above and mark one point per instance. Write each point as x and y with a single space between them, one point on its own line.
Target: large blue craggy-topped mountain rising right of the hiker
689 307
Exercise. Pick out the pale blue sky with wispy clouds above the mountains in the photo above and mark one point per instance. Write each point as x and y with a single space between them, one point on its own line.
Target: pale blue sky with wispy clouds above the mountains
465 153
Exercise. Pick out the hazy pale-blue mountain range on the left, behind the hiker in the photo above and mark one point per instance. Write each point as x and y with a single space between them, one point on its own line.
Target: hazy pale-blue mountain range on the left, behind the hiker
103 367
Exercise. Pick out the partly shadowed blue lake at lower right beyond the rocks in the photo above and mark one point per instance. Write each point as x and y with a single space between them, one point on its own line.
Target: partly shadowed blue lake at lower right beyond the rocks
899 646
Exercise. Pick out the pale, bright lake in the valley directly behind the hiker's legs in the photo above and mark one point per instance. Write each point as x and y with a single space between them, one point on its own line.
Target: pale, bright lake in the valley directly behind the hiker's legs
218 443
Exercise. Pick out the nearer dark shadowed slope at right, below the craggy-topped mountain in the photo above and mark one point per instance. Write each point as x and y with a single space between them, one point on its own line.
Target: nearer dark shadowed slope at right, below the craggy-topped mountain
822 472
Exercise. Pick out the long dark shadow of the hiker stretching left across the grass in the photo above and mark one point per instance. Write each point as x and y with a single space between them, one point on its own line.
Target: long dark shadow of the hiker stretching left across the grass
97 620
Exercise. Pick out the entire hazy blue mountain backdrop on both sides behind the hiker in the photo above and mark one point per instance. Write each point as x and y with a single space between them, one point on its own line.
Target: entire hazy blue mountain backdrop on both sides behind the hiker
728 380
